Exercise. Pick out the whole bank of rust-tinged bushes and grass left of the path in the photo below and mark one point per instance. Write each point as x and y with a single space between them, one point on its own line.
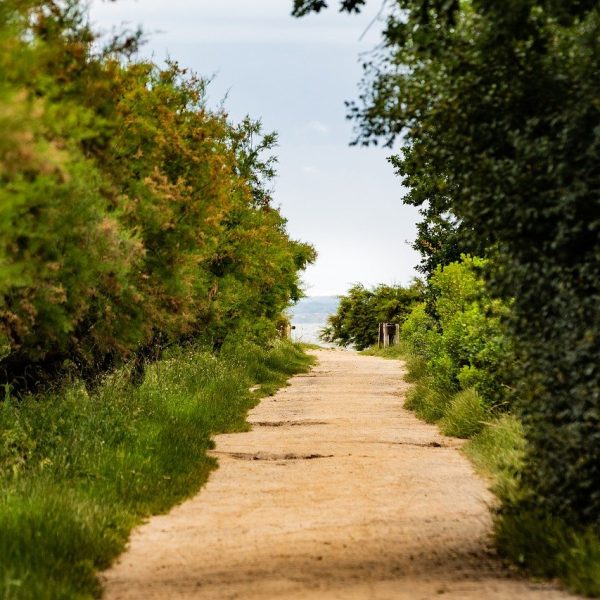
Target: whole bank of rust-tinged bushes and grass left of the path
144 275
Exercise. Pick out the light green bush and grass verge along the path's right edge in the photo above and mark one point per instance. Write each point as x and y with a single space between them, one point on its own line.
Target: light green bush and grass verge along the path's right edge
460 358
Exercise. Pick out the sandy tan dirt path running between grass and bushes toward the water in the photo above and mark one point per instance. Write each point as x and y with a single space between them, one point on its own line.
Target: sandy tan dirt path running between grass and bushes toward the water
337 492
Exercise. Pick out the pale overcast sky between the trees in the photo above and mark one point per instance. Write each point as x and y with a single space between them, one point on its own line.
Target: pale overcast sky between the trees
294 75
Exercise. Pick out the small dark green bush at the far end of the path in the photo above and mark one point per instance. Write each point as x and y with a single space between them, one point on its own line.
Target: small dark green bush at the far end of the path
361 310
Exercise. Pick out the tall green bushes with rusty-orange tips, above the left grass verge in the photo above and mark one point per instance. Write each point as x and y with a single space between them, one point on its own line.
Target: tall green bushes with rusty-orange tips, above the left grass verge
131 215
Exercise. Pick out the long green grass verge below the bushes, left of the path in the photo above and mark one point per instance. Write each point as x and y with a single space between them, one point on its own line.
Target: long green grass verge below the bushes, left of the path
79 468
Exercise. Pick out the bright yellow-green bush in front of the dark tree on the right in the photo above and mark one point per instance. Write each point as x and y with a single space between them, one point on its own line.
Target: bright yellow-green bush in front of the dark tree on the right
461 360
